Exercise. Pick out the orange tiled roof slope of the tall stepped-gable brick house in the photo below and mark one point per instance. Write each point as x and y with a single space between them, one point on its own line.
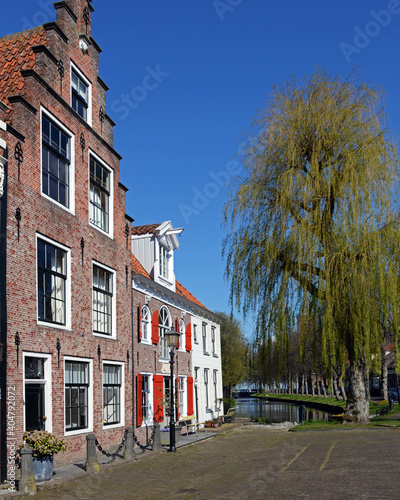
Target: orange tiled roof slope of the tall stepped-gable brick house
16 54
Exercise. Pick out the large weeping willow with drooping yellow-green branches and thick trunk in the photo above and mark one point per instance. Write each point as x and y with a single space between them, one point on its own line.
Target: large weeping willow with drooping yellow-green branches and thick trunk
314 230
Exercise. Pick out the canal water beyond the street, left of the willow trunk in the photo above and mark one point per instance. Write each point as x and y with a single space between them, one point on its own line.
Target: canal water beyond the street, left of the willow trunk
275 411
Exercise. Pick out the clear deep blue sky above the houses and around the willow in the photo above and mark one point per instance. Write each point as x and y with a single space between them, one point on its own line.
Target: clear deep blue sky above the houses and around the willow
187 77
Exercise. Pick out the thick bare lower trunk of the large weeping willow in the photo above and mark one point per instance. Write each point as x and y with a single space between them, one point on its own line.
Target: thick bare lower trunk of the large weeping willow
357 409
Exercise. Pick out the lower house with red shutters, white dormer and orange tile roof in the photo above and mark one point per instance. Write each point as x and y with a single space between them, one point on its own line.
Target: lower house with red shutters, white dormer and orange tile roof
163 303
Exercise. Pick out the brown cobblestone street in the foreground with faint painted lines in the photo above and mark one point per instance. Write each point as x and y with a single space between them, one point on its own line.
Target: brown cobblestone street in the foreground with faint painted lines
252 462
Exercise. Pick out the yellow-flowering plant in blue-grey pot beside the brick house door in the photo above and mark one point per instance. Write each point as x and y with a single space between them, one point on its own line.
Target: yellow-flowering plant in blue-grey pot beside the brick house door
44 445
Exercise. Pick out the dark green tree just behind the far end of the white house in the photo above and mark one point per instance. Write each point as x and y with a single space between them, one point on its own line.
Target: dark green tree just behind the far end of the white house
233 352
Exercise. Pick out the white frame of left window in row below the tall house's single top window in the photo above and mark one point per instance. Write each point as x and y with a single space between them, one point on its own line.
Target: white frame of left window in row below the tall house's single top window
71 136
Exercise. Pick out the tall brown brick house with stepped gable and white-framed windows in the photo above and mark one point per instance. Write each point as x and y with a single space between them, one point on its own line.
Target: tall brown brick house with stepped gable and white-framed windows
66 286
